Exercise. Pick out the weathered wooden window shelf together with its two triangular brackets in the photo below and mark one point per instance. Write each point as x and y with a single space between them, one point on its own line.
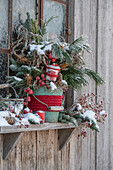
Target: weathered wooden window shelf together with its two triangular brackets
12 134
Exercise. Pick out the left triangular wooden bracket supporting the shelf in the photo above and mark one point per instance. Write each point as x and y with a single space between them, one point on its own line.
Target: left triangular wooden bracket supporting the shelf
9 142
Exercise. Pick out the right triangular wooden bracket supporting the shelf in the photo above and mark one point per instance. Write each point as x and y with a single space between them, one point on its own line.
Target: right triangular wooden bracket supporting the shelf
63 137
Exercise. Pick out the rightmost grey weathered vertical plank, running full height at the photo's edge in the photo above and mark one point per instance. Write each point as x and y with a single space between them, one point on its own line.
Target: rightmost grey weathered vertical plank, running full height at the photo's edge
105 68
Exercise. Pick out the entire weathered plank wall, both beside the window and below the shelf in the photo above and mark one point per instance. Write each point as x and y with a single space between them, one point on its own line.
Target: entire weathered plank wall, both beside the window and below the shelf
39 150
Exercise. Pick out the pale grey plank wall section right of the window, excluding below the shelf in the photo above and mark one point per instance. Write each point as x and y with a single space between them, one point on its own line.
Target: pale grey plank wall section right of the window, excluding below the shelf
94 19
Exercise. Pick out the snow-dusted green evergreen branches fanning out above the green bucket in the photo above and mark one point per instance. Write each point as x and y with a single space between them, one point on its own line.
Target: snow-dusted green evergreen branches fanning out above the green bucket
74 73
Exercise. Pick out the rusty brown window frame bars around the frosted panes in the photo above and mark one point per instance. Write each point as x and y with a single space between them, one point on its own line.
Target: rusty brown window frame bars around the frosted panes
40 17
